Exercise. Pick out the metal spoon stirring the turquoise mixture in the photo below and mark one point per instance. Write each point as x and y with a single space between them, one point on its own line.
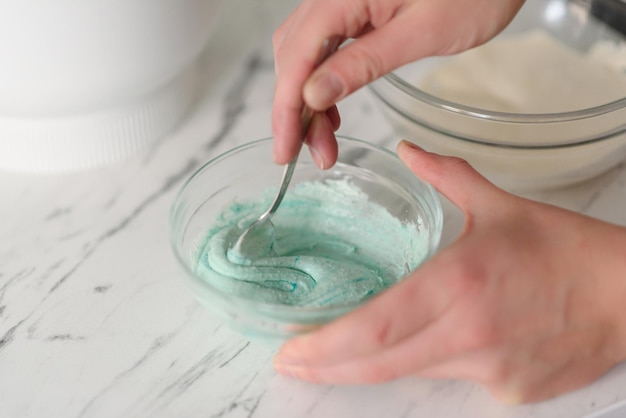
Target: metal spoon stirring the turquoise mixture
329 46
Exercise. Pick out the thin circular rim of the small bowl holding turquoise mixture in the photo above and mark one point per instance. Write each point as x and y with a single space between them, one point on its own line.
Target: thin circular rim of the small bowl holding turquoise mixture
277 308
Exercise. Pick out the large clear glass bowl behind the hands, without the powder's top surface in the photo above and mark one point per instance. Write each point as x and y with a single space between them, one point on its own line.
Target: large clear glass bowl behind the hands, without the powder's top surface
528 150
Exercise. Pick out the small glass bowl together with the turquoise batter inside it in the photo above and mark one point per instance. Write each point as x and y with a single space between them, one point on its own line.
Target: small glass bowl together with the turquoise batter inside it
339 237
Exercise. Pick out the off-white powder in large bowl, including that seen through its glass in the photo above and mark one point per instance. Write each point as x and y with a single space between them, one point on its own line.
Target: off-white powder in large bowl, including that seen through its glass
527 73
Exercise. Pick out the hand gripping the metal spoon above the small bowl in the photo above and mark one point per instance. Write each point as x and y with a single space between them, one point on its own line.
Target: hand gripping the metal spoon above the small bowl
388 33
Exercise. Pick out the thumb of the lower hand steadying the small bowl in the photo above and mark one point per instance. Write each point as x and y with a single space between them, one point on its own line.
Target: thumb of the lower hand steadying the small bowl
453 177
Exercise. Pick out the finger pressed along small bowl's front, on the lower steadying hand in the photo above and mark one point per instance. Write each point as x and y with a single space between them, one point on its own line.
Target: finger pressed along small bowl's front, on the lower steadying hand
384 321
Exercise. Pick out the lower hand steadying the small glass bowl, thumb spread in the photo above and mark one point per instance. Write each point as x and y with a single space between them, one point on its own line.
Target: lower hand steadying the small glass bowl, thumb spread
528 302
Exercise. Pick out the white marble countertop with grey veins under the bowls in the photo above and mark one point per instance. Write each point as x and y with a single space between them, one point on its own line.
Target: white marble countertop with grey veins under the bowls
96 322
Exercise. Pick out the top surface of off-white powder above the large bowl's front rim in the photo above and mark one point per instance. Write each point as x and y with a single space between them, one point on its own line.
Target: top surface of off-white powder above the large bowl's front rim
531 73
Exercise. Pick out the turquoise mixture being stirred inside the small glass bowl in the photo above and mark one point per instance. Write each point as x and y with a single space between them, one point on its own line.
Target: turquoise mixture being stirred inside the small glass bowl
327 245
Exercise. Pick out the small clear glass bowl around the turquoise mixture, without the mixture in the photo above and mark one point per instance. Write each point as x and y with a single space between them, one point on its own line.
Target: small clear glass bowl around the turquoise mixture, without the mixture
243 173
